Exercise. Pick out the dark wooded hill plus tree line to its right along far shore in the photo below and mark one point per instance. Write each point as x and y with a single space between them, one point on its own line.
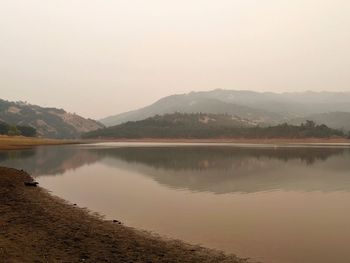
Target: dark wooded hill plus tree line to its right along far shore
202 126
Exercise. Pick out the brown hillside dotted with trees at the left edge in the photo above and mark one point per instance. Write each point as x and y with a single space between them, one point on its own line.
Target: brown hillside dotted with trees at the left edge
48 122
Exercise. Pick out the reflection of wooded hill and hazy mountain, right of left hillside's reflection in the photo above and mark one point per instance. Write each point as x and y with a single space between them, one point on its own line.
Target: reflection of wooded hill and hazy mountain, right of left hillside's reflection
225 170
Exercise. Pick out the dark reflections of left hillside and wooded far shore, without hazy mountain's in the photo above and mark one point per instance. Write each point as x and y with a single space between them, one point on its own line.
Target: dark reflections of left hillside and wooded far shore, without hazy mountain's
56 160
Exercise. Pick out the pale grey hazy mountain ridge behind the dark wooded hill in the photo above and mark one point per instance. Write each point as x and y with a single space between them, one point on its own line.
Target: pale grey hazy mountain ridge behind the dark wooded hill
267 107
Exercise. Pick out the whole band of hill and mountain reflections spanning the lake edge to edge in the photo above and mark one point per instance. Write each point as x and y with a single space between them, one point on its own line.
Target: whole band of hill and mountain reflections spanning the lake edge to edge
212 169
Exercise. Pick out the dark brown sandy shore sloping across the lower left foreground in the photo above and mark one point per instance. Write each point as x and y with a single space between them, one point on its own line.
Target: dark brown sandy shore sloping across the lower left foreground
37 227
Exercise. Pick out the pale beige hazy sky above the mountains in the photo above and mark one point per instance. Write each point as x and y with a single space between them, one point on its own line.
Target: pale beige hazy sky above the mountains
101 57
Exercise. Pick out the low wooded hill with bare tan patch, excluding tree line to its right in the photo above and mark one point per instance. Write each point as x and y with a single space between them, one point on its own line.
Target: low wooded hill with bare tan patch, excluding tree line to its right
176 125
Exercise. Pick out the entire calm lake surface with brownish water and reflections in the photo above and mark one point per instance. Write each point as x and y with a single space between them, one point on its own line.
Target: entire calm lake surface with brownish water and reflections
272 204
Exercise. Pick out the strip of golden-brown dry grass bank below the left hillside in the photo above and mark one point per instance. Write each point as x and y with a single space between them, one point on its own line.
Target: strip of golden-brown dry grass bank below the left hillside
20 142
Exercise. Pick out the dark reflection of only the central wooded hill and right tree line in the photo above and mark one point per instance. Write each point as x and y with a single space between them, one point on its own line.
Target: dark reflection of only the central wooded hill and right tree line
203 157
